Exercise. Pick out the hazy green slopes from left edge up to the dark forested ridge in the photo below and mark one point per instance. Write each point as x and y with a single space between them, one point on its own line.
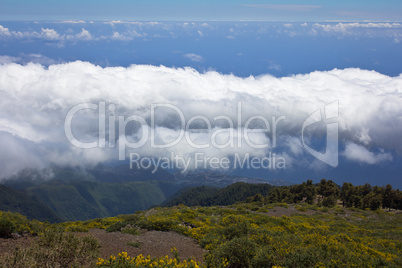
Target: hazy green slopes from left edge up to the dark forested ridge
72 194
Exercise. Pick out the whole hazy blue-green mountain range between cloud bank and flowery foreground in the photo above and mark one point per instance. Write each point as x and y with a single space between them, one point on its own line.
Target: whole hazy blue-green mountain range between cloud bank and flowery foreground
72 193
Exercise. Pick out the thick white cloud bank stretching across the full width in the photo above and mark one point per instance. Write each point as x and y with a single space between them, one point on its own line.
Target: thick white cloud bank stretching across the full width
35 101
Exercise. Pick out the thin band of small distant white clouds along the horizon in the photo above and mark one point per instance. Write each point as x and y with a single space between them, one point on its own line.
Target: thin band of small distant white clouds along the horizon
132 30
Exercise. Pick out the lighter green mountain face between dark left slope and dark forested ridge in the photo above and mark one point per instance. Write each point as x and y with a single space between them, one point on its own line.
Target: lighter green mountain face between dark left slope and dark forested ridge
82 200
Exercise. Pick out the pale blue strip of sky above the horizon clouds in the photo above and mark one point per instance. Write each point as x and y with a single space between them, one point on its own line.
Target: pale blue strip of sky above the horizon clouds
390 10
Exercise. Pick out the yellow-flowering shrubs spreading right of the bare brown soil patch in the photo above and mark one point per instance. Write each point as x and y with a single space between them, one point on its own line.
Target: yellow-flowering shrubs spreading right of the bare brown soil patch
243 238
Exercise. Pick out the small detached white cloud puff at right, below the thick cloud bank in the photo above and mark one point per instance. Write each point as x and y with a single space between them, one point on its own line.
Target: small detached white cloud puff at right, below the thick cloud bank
360 154
